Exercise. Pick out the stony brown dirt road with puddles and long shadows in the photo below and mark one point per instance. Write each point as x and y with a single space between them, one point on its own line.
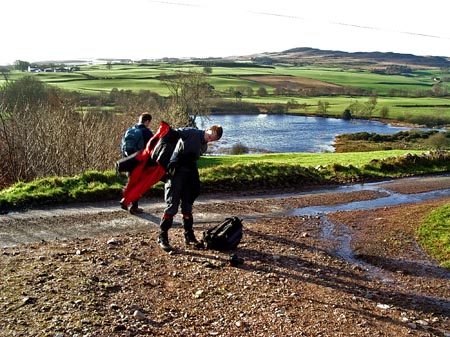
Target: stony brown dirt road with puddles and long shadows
321 263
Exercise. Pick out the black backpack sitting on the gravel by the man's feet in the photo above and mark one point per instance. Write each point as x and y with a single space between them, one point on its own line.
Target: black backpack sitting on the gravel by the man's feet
224 236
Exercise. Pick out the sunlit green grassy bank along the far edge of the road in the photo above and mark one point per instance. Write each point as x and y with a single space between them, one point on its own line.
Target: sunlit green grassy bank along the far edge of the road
231 173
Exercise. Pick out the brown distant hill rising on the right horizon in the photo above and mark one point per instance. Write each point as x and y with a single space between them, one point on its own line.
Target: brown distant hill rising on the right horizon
363 59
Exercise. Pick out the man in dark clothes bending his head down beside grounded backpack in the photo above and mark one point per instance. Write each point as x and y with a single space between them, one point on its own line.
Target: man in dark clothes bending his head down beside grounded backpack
183 183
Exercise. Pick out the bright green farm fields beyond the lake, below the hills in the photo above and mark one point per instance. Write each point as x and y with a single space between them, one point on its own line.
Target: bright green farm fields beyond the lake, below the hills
95 79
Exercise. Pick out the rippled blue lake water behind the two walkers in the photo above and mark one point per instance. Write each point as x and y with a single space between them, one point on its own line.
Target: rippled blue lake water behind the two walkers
287 133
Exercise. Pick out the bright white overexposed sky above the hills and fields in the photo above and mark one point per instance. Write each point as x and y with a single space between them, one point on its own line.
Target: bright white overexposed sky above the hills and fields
41 30
